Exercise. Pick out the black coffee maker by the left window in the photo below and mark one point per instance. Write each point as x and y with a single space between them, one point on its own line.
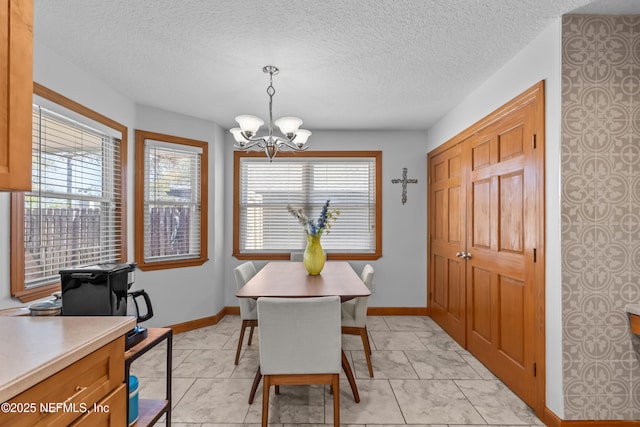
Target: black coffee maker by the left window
103 290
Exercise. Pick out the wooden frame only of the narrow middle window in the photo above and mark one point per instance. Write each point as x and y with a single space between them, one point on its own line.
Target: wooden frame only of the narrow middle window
140 137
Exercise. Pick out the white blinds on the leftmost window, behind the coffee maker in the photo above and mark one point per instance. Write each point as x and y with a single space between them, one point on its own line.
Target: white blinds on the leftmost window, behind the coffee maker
72 215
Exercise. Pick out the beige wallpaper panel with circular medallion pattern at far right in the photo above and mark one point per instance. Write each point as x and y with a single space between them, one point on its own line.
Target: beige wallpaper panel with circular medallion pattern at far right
600 215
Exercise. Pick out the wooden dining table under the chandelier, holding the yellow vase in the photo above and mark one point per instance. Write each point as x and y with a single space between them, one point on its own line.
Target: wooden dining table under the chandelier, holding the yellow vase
289 279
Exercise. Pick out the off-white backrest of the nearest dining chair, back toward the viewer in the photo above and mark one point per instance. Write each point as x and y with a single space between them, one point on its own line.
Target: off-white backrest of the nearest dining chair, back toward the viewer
300 335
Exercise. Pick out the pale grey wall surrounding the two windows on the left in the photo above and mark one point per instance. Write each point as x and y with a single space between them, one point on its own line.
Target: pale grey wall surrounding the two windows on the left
177 295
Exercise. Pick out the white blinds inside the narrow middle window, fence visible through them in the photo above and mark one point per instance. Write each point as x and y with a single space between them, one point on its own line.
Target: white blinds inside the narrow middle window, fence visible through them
172 197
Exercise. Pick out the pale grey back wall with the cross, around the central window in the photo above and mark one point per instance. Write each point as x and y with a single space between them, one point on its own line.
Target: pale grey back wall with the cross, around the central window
400 275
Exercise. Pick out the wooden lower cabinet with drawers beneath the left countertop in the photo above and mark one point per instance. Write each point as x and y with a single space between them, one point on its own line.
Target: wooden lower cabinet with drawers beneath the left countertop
89 392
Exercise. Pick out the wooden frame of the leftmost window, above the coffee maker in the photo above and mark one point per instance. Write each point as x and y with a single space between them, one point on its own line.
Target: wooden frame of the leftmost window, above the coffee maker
17 285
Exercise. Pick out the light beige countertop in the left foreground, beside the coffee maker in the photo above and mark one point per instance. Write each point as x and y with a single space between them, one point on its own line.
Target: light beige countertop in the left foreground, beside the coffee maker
36 347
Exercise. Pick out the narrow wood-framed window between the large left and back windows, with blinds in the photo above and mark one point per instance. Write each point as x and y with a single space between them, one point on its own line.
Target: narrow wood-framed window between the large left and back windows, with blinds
171 201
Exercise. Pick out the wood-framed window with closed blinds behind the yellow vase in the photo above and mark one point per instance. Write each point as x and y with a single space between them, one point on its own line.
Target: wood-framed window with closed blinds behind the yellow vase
264 229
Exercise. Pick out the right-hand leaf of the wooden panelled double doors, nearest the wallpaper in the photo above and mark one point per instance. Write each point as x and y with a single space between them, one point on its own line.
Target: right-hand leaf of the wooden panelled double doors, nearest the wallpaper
500 217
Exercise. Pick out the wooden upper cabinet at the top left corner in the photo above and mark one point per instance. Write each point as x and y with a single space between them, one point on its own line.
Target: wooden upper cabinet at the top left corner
16 93
